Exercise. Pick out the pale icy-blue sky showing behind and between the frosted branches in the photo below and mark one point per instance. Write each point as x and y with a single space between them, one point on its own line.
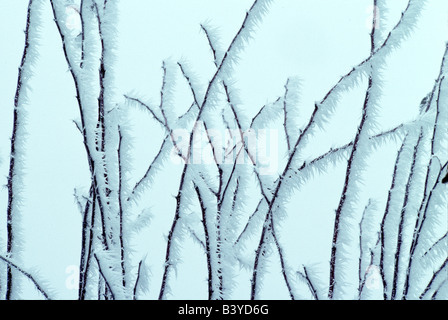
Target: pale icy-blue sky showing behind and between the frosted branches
316 40
